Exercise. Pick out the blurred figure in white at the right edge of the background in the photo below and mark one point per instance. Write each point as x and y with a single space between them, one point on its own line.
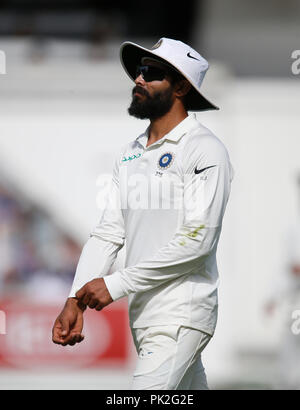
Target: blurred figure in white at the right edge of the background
284 297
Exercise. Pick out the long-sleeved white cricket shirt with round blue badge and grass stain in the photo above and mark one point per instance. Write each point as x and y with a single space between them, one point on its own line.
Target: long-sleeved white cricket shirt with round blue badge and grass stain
167 202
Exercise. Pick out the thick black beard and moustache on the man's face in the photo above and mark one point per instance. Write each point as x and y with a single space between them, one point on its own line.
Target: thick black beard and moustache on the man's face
150 107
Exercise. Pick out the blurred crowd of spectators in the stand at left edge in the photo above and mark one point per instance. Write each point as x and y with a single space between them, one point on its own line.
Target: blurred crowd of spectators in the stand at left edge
34 252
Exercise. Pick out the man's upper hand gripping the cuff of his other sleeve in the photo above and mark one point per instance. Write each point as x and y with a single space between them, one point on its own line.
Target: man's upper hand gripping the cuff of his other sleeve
94 294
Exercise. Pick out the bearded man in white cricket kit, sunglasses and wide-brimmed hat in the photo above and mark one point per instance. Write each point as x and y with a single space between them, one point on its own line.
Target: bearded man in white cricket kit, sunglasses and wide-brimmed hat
168 195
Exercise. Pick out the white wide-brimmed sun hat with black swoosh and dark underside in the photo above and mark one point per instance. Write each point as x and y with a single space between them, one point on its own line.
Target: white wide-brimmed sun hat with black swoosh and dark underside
179 55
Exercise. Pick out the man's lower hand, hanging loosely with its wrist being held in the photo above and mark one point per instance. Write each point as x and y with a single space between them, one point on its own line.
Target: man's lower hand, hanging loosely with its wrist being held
69 324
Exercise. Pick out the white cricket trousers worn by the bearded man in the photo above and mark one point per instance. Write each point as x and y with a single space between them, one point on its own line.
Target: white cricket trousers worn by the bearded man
169 358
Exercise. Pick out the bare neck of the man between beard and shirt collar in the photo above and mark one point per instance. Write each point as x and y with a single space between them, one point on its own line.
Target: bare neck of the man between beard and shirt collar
161 126
